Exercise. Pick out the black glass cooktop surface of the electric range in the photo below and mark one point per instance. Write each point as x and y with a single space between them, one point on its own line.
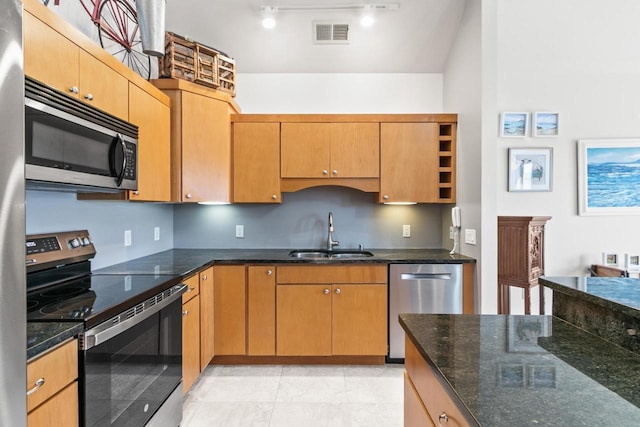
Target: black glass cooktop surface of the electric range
94 298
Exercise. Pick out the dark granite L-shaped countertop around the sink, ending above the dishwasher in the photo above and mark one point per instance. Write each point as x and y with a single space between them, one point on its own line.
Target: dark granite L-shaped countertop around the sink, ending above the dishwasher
187 261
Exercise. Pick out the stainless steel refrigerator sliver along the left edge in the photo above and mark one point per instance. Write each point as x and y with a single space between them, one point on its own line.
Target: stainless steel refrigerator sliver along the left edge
13 324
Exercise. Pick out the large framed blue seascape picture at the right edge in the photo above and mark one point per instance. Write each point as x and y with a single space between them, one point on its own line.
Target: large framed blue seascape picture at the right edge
608 176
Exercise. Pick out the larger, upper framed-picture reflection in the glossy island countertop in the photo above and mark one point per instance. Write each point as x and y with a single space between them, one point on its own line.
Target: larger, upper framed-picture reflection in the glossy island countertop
523 333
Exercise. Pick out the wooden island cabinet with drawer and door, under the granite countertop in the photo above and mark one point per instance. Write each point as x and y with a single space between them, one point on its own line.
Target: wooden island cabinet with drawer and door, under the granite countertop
435 400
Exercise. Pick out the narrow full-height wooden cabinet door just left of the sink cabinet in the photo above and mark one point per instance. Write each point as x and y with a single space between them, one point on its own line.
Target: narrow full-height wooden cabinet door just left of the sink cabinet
261 311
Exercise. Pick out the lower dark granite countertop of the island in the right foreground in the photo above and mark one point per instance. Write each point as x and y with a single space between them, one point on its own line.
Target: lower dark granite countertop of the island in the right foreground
529 370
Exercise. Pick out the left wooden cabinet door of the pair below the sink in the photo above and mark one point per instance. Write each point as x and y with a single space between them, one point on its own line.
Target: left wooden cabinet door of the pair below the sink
303 320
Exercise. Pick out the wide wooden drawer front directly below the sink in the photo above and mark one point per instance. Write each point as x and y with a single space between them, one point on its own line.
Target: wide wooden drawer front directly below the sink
332 274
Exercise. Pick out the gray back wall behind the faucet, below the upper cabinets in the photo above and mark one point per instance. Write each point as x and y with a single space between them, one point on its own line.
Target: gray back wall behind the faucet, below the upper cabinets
301 222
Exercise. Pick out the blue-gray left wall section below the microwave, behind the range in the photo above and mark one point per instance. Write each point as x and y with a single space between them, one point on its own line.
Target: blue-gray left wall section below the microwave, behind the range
49 211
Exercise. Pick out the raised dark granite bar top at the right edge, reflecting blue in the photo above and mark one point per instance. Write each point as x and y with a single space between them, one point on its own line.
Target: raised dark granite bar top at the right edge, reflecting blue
615 293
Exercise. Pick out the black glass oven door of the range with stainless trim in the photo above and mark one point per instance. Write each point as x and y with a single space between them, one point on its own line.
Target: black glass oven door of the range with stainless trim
126 378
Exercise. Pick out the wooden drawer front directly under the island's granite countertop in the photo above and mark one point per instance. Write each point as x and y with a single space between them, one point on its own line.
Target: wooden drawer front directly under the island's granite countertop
435 398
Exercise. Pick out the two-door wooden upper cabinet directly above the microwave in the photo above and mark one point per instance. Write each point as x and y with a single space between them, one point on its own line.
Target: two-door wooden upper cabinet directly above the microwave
55 60
